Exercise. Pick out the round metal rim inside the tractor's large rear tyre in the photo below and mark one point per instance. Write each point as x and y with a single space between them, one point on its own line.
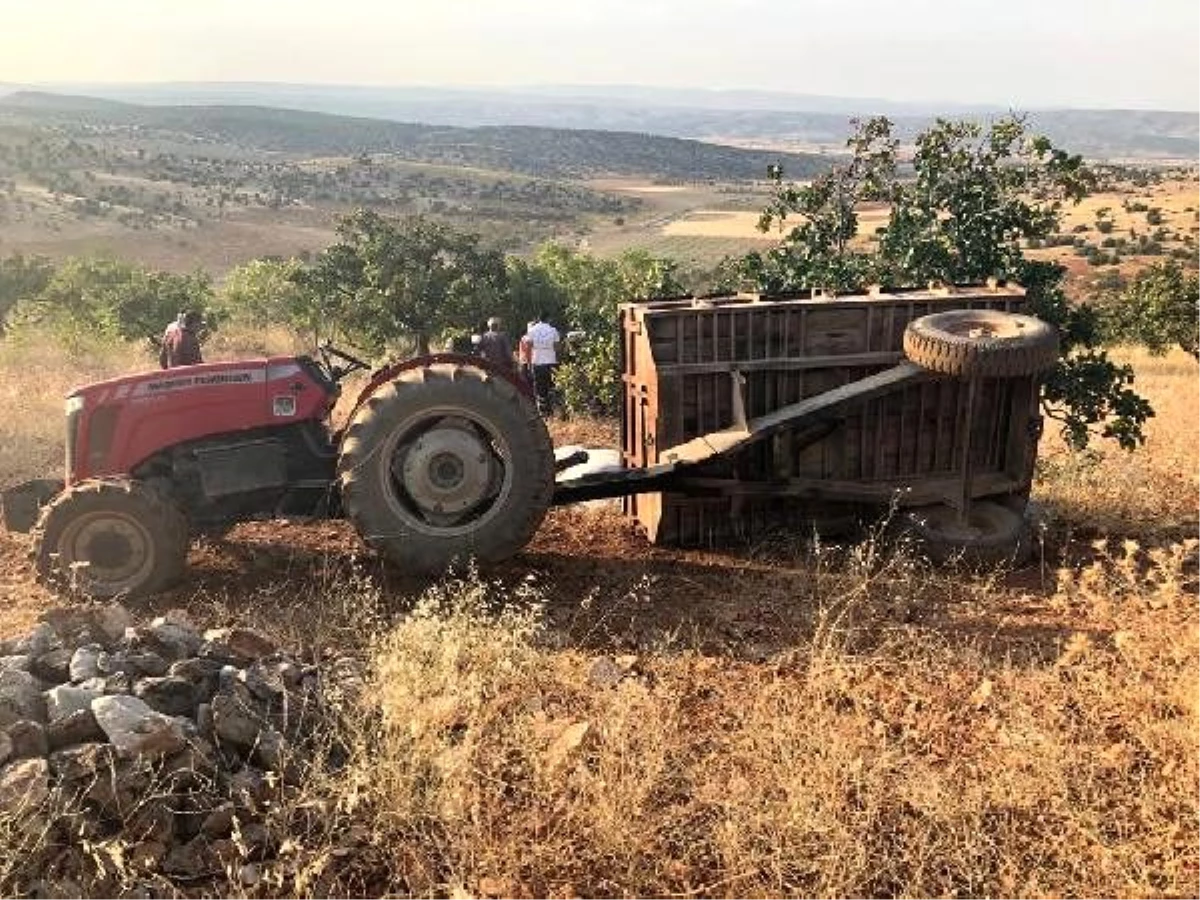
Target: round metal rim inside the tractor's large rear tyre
448 471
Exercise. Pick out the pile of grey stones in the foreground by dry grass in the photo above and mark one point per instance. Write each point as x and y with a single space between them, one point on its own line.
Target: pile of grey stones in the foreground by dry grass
161 742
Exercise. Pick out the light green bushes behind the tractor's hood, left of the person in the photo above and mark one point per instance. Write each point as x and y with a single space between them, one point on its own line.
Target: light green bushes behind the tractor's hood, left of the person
116 301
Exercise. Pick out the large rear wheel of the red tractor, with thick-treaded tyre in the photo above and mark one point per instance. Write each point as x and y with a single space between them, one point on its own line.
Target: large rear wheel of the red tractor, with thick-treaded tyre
447 464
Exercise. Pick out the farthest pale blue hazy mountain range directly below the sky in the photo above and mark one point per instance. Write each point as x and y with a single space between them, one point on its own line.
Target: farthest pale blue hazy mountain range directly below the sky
710 116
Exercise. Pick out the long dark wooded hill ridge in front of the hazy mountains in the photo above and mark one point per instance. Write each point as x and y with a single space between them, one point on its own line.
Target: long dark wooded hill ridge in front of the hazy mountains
532 151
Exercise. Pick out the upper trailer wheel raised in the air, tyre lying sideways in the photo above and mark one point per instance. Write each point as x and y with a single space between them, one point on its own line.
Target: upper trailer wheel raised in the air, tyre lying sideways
986 344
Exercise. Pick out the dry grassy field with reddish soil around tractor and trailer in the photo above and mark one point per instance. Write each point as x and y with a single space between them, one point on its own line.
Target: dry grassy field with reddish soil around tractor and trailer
751 722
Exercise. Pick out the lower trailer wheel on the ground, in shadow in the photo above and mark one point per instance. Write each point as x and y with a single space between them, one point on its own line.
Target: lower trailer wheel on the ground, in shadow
993 535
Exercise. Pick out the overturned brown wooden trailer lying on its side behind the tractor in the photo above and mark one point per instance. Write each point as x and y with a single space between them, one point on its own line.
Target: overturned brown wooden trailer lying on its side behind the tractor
755 412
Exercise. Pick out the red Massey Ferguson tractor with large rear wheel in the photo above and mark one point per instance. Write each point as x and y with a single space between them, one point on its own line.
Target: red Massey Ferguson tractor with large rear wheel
442 459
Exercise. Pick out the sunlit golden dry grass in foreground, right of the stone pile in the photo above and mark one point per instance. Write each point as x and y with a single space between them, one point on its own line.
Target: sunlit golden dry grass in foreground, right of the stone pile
506 765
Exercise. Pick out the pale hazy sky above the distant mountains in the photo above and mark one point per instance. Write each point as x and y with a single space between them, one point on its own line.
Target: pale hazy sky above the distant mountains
1100 53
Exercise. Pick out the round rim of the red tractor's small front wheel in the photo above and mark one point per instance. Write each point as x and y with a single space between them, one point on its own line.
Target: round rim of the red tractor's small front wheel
107 549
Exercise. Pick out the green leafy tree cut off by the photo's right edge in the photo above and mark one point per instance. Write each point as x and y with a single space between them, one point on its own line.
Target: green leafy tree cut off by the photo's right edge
1160 309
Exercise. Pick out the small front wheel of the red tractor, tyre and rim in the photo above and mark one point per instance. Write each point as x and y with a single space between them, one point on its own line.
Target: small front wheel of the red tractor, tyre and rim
109 538
